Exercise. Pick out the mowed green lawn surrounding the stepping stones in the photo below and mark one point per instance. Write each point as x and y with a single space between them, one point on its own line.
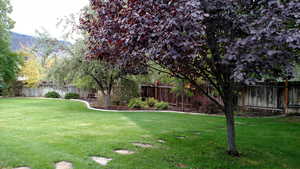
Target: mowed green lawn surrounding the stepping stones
40 132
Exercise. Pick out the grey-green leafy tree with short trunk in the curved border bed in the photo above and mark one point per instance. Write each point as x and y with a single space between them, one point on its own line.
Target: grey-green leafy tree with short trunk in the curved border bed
100 74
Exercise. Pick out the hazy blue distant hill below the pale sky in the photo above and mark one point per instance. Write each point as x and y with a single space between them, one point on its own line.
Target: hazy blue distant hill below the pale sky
18 41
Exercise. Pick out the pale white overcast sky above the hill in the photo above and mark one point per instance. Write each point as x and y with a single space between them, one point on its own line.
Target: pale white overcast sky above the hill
32 15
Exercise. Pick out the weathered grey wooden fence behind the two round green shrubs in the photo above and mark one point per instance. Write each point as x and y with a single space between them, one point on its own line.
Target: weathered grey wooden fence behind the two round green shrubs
43 89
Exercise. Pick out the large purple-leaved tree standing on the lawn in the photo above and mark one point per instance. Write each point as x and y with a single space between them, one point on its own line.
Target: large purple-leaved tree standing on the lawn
222 42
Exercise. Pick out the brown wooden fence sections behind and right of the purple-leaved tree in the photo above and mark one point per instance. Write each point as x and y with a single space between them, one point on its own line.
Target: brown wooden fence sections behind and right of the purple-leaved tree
263 96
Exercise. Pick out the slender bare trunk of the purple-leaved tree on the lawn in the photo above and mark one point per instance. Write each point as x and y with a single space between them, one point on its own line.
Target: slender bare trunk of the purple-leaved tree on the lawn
232 149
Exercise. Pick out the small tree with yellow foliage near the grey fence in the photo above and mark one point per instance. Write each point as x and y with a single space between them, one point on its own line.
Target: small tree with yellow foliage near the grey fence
31 69
